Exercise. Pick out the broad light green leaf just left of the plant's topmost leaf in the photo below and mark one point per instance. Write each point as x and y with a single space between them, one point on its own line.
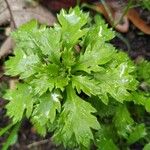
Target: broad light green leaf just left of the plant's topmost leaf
48 41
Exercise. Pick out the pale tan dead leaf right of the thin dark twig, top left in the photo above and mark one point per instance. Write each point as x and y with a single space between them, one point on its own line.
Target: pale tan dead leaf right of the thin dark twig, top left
20 13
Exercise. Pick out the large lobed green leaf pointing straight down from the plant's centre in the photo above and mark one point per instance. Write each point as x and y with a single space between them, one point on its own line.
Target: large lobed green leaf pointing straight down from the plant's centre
76 121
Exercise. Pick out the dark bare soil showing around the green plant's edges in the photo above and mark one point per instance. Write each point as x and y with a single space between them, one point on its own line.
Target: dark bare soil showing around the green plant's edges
139 45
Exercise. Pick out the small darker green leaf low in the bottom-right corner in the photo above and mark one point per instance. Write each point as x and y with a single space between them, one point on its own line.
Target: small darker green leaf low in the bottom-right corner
138 133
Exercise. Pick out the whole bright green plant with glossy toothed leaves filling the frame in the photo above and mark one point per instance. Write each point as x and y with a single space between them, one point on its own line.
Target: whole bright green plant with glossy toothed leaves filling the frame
74 83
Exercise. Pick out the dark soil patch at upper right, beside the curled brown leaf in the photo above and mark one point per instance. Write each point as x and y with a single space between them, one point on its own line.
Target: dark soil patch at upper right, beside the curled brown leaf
139 44
